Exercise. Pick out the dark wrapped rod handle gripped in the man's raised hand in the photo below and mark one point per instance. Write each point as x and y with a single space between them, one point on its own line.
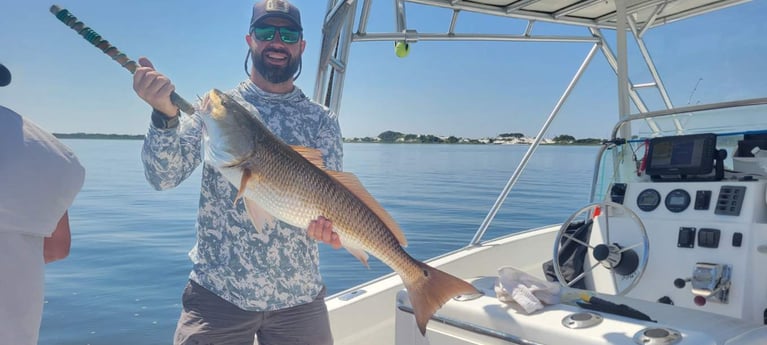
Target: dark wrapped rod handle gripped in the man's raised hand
96 40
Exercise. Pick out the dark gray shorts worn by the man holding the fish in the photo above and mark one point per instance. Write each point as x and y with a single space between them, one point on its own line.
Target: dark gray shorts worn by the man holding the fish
207 319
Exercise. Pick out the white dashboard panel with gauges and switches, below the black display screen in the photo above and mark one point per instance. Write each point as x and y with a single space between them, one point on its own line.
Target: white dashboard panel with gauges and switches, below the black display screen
706 243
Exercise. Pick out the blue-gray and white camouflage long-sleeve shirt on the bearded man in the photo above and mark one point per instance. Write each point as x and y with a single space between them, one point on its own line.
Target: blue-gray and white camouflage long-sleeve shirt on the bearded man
276 266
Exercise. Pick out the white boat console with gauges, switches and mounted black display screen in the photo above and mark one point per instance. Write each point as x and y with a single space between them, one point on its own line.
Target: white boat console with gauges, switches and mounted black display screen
697 203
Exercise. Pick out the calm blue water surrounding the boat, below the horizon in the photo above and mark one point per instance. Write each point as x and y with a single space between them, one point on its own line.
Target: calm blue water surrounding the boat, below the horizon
122 282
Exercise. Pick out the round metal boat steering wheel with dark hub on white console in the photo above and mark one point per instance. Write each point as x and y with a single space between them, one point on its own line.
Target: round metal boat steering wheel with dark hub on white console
621 260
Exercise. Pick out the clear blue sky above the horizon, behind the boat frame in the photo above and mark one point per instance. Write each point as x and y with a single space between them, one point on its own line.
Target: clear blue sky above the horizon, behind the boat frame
465 89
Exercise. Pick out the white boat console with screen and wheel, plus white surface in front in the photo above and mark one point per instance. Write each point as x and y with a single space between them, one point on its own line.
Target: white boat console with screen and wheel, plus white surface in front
681 244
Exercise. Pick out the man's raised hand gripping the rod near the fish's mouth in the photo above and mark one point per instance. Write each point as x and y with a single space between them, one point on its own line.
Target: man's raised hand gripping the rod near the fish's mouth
154 88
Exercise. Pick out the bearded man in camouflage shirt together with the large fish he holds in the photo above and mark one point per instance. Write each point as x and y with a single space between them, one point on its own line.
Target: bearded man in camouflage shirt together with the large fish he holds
272 161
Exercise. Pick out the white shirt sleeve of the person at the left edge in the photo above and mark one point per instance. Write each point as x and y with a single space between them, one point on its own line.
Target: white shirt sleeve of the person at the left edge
39 176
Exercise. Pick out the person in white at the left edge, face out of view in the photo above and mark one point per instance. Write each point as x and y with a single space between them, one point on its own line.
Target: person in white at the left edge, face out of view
39 179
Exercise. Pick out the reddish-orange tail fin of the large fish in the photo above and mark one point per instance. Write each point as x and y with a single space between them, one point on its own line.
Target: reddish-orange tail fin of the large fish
430 290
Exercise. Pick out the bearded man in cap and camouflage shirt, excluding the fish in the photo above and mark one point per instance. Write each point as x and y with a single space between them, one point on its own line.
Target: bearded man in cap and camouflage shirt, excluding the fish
252 274
